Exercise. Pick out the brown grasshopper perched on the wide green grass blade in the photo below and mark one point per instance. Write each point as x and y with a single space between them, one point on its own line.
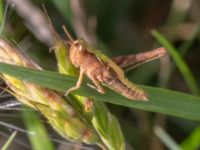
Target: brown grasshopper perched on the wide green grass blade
101 70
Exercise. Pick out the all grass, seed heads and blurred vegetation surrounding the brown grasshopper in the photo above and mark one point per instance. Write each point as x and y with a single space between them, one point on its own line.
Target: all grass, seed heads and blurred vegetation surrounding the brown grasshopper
170 120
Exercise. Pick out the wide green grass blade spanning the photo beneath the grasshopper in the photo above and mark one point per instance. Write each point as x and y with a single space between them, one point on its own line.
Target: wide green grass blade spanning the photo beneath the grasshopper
160 100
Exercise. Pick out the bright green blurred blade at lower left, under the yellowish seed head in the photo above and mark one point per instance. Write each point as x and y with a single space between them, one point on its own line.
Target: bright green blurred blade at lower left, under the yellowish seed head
39 139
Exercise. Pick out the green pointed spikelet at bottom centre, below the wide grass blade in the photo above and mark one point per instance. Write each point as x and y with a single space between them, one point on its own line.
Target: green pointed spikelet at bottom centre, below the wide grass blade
108 127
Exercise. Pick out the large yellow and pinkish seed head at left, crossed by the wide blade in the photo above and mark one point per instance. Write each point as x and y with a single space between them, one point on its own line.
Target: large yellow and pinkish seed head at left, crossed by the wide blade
62 116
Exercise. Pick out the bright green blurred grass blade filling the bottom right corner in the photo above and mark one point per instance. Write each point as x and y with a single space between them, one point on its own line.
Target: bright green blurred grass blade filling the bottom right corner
193 141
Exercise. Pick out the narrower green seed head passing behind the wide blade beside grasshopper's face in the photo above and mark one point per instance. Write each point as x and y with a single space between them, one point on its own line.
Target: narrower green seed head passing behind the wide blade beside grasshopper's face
96 113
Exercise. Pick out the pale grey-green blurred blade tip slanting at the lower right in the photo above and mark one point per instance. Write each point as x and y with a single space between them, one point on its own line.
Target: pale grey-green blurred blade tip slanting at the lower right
166 139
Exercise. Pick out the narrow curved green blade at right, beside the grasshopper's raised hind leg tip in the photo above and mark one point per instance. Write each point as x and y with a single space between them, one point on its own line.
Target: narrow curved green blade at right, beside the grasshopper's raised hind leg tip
182 66
